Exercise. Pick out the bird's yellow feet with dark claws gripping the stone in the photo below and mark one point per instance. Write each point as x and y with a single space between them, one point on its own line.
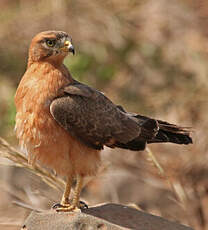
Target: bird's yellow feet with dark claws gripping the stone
66 207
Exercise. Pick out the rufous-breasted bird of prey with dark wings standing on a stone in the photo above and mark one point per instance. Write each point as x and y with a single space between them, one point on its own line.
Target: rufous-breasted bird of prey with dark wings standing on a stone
64 124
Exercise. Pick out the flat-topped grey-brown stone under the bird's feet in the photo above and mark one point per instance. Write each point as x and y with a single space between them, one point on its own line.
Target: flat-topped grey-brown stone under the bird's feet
103 217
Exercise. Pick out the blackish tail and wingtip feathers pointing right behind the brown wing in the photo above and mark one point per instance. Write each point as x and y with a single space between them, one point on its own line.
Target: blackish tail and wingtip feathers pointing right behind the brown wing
157 131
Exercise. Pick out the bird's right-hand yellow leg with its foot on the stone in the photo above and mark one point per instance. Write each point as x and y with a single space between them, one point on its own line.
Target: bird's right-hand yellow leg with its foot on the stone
75 200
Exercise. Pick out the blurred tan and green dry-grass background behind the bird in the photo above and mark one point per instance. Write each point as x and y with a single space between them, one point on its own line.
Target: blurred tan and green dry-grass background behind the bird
151 57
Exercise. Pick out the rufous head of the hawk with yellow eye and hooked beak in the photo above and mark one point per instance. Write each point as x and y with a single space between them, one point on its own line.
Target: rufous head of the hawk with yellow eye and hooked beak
50 46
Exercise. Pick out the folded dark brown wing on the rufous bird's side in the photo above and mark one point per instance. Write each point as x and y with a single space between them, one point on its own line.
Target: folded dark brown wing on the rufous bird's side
92 118
